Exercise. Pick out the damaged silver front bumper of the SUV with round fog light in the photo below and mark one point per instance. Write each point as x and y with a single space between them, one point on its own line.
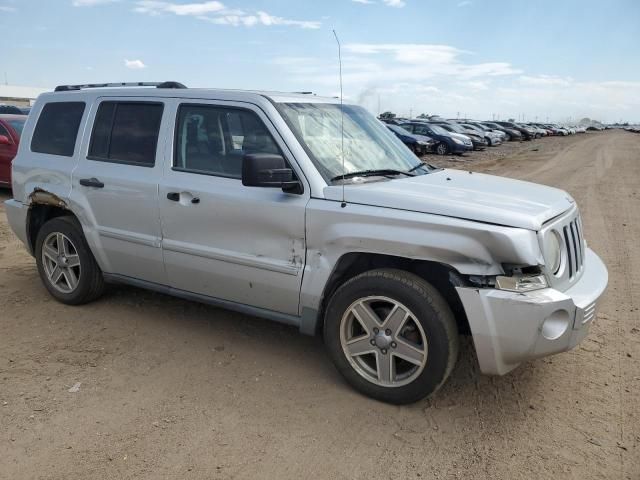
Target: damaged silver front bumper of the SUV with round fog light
509 328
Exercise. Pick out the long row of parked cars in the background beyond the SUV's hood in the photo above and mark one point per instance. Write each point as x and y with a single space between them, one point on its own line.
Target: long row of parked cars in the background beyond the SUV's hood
457 136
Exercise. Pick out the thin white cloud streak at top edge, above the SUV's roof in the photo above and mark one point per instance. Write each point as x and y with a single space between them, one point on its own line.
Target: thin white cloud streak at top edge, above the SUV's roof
217 13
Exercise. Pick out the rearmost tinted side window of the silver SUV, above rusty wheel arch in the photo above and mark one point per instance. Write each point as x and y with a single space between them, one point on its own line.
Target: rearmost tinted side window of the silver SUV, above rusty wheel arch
57 128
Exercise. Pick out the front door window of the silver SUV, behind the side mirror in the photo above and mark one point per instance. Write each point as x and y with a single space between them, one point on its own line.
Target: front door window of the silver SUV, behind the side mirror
213 140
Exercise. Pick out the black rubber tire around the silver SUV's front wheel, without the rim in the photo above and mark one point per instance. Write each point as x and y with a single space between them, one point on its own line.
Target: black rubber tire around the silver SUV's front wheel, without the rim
429 309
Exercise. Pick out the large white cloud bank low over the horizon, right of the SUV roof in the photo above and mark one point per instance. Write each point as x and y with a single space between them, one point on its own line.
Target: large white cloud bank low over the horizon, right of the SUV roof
442 79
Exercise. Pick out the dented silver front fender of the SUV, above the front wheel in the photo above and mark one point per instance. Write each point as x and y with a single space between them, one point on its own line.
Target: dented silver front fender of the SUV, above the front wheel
471 248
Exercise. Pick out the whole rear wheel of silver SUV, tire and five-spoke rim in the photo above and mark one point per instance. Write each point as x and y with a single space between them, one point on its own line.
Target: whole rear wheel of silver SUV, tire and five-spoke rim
65 263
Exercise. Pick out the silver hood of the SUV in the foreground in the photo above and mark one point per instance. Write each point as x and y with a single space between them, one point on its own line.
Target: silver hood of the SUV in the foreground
461 194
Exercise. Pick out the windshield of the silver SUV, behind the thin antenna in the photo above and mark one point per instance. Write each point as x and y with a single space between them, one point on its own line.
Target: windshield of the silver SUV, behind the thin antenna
368 144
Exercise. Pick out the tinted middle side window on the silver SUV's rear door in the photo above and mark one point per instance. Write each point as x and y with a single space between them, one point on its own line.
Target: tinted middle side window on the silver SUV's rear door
126 132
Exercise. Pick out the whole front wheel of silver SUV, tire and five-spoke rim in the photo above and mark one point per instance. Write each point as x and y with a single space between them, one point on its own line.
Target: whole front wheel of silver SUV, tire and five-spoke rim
391 335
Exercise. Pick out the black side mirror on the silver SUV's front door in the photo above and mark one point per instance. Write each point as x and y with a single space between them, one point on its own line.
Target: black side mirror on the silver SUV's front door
268 170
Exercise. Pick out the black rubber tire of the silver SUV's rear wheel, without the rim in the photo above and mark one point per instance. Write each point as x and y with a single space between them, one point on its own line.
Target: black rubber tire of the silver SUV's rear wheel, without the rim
90 282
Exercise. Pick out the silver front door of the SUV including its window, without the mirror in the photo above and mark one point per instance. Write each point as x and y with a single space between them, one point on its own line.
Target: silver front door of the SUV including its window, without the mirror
222 239
